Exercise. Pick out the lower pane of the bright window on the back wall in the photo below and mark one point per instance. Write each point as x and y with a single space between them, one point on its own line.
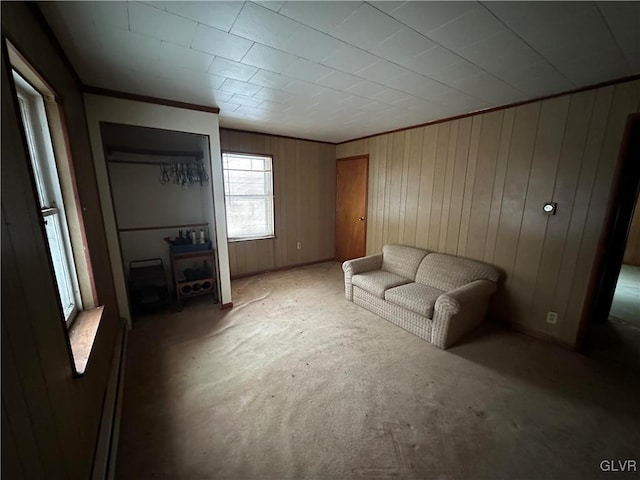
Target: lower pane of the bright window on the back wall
249 216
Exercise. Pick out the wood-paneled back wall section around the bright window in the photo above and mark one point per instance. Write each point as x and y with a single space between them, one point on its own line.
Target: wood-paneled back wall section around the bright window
304 204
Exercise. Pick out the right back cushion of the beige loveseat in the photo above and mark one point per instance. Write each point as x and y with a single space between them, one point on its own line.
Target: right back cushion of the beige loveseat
447 272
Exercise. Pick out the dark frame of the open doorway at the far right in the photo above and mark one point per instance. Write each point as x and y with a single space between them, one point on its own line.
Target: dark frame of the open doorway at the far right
611 247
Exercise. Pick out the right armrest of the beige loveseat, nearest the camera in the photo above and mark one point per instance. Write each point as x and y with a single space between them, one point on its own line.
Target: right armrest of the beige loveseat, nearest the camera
459 311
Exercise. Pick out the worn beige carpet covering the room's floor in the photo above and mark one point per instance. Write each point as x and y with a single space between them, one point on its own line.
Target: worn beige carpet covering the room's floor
297 383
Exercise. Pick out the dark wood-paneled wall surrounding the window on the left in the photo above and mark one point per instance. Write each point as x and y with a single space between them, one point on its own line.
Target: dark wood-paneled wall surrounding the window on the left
50 419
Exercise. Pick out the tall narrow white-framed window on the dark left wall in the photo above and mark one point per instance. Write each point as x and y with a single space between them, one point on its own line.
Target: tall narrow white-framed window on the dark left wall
45 173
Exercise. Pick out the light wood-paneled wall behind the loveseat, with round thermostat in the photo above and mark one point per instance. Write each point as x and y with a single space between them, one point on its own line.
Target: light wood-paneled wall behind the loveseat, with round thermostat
475 187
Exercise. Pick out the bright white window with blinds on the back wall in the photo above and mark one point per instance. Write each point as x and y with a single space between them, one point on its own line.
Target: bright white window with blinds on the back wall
248 195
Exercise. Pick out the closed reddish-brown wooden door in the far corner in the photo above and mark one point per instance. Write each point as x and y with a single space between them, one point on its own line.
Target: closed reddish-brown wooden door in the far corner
352 178
